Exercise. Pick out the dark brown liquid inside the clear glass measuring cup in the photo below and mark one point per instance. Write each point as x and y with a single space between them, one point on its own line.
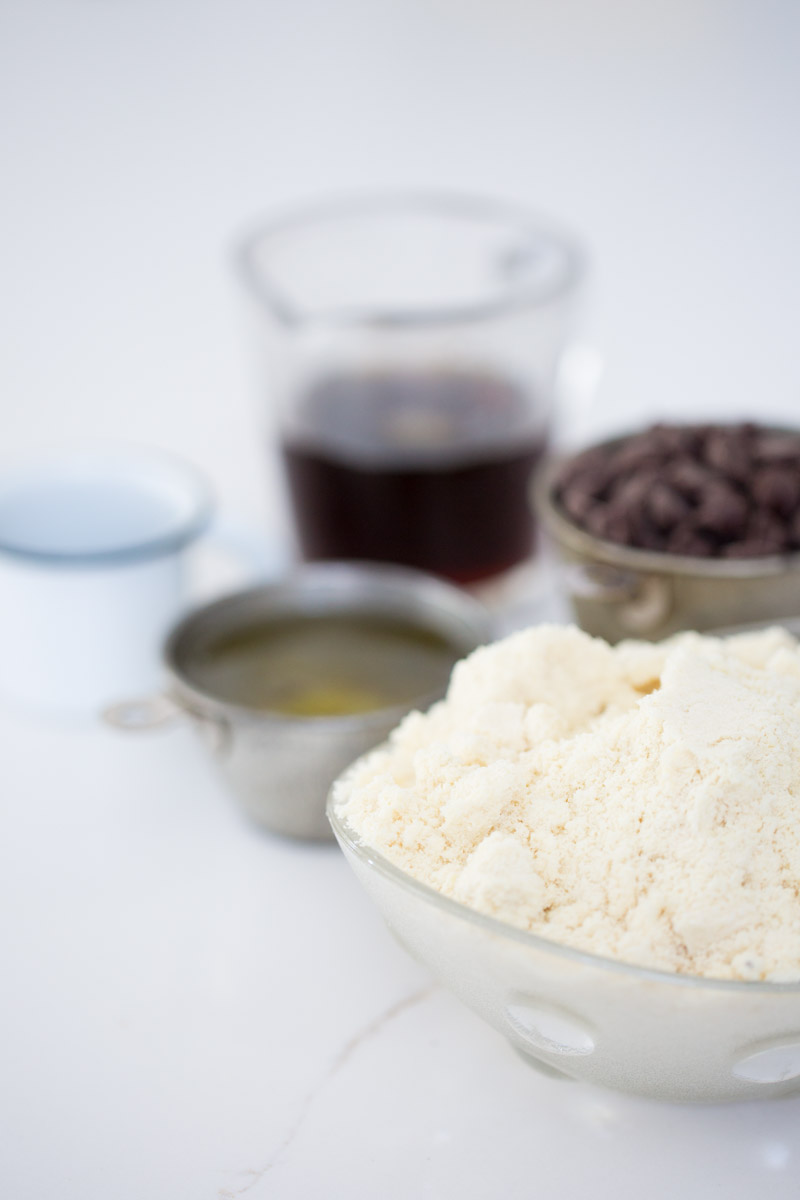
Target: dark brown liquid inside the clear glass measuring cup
426 470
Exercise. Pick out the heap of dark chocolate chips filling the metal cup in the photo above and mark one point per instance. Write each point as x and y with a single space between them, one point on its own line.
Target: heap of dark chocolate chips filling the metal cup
727 491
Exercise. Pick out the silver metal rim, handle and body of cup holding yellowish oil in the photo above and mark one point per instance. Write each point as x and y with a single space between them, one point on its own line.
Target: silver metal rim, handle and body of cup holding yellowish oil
281 767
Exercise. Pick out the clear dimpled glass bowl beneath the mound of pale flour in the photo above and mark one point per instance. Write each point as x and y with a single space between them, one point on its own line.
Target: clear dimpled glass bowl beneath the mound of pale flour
581 1017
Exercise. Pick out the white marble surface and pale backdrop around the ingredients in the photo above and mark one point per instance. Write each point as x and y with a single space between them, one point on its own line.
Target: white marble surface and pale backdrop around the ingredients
193 1011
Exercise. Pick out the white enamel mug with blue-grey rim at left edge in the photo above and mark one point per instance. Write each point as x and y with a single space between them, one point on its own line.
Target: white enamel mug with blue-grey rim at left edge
92 573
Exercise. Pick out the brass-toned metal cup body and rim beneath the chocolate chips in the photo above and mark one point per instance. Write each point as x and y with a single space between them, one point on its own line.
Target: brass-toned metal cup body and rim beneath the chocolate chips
618 592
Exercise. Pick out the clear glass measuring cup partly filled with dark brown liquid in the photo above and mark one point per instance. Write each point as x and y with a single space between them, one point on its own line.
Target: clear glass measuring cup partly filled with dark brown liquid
412 345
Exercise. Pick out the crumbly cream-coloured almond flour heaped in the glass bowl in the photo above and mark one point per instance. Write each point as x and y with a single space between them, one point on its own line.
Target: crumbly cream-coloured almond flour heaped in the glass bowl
640 802
